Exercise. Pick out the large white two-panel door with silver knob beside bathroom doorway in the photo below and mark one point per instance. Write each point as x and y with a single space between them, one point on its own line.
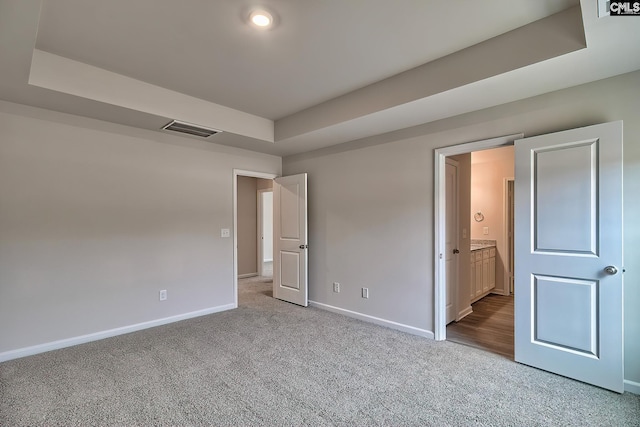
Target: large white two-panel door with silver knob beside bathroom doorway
568 254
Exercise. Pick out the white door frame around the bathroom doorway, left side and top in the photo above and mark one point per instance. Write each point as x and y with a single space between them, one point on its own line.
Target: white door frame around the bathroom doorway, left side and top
439 216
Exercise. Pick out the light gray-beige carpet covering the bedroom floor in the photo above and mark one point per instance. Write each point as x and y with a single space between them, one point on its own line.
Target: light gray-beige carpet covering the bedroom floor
273 363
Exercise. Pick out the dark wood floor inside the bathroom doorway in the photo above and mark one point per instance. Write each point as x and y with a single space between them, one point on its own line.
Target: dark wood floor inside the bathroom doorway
489 327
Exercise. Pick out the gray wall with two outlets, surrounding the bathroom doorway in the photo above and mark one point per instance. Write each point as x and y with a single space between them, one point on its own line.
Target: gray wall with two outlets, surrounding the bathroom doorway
371 203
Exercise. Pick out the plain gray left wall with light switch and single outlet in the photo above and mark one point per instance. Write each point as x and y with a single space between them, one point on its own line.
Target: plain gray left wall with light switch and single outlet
96 218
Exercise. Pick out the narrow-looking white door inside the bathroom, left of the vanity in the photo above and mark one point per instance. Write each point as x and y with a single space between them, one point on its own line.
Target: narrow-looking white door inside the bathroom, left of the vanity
451 238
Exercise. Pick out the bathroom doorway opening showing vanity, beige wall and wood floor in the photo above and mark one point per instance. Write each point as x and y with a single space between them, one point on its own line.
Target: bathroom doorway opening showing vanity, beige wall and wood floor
486 316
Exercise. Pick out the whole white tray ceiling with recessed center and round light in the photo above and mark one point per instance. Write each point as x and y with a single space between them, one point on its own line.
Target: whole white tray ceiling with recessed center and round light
330 71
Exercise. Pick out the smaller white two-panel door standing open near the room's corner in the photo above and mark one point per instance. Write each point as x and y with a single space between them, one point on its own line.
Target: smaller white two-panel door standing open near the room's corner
290 239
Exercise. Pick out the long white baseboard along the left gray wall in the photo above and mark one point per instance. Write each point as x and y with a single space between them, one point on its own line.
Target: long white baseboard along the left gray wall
68 342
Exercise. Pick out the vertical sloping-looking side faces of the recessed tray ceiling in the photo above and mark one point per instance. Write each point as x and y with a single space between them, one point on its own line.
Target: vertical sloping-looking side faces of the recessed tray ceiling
547 38
